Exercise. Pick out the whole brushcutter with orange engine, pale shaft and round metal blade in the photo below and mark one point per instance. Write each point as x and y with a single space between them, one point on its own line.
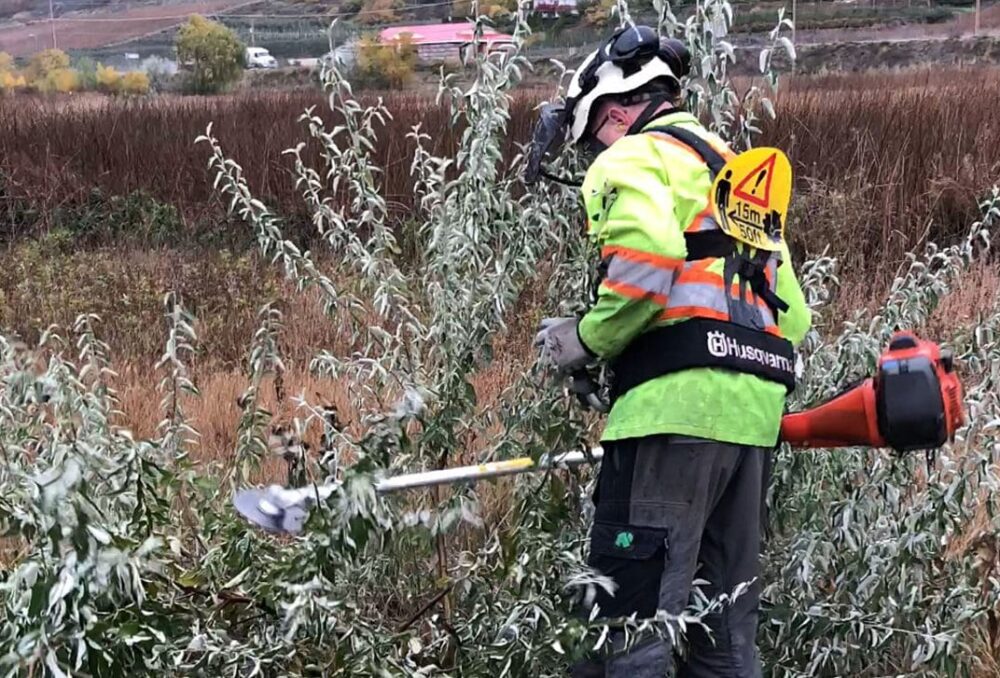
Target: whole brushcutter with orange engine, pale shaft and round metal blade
914 402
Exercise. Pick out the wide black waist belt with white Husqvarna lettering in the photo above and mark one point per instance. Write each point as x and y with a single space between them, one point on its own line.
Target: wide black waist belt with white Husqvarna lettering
701 342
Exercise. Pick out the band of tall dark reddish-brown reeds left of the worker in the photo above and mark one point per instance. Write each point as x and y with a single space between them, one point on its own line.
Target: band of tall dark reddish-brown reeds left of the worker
53 152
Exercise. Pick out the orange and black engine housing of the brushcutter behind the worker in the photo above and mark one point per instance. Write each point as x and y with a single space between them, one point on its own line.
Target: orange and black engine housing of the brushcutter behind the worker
913 402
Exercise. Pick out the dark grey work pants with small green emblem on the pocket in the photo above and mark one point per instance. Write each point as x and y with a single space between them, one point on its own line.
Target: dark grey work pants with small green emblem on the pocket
671 509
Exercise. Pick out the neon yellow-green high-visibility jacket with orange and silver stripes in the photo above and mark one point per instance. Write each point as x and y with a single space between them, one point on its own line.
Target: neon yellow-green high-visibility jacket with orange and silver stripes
641 195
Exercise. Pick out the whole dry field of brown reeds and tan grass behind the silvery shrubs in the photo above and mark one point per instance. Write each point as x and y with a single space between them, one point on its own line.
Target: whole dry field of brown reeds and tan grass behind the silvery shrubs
883 162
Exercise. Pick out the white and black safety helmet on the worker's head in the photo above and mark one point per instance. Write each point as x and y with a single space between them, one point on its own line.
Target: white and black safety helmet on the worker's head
633 57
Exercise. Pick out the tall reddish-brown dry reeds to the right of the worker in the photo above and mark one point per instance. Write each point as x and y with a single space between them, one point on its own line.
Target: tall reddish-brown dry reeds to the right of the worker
886 161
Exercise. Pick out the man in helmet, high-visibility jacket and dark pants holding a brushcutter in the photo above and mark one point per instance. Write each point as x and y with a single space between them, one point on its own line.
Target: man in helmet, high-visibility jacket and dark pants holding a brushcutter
698 330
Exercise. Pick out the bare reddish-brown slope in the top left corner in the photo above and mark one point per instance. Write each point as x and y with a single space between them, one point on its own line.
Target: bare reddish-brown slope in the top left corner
97 29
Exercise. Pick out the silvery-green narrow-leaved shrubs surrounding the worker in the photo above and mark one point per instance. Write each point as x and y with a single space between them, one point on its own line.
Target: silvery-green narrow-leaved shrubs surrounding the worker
122 557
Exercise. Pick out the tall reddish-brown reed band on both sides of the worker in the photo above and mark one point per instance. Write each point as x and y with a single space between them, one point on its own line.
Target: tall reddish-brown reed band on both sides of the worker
882 160
